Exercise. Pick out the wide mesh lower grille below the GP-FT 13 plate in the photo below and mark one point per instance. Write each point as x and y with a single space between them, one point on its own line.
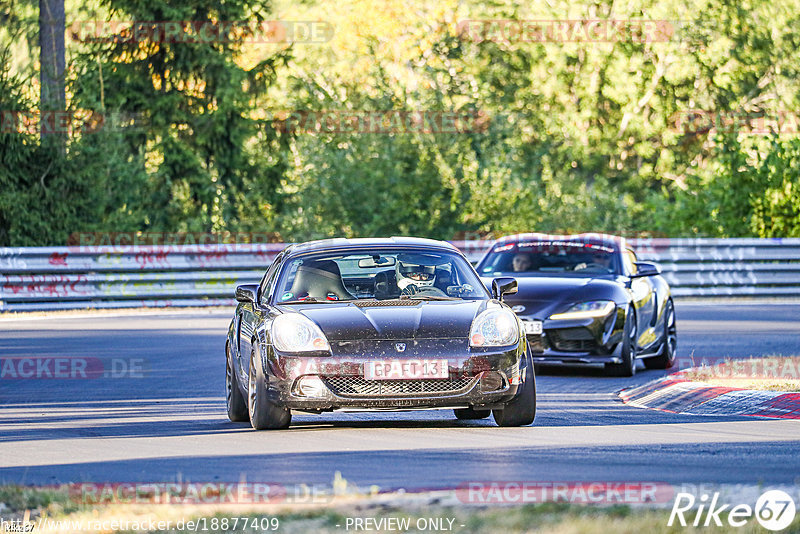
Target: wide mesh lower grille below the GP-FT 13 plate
356 386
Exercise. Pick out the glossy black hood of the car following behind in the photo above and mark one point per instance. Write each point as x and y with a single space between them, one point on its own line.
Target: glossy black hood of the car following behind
540 296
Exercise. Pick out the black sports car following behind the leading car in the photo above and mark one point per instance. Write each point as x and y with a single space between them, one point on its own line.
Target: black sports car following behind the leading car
586 299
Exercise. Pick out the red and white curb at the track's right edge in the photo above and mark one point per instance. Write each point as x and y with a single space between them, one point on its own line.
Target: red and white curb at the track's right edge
676 394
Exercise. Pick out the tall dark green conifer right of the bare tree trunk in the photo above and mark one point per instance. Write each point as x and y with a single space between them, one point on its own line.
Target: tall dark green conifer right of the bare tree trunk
196 102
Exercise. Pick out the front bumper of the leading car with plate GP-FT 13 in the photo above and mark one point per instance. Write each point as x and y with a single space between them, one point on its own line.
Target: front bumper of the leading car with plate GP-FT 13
476 378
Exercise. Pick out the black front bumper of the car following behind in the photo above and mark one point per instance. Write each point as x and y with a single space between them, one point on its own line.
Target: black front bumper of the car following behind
579 341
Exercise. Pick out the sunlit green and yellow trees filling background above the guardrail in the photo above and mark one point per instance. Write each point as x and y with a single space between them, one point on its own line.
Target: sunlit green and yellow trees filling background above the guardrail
576 136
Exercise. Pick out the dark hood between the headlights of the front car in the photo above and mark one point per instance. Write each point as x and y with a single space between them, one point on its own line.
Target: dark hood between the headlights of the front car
422 320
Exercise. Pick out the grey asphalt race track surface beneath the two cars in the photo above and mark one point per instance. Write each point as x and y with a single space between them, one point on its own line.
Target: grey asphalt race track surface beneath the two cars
171 424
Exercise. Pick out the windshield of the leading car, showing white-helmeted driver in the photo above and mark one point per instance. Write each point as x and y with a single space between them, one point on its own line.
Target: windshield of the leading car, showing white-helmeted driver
378 274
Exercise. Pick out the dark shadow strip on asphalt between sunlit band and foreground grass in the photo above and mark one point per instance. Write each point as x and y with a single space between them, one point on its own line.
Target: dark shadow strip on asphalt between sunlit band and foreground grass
435 468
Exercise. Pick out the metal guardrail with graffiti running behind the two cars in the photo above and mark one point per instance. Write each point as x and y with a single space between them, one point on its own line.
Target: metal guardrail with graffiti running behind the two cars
45 278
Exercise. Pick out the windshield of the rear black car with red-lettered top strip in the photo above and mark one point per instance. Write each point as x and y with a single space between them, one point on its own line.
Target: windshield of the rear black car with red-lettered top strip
545 257
